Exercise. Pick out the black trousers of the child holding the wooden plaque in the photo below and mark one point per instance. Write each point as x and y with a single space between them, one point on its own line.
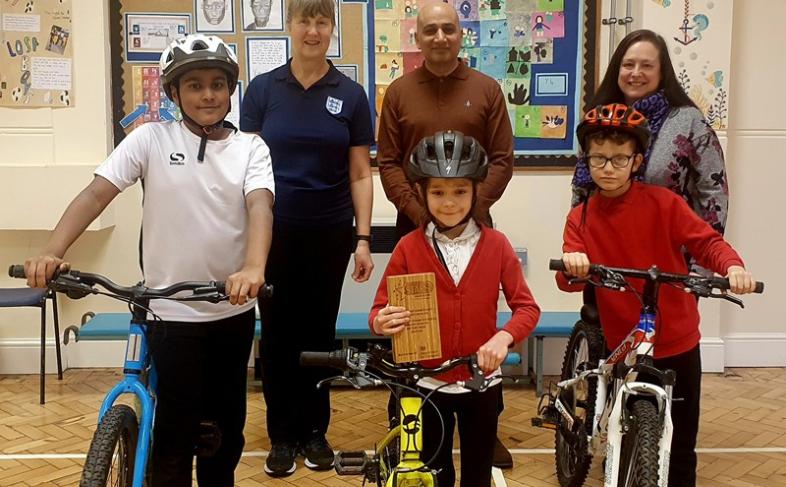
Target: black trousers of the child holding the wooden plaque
475 413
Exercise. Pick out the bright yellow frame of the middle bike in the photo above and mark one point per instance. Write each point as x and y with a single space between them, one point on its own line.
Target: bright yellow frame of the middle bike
410 471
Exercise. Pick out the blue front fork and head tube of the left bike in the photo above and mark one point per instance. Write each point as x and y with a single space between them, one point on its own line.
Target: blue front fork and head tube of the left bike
136 362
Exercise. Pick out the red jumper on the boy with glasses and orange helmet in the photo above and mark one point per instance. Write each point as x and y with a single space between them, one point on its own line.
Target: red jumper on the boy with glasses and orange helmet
646 226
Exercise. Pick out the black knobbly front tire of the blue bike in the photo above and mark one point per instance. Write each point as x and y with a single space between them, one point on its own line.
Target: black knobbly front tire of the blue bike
114 439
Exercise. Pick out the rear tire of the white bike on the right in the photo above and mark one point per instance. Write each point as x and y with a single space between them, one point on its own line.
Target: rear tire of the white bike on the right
585 345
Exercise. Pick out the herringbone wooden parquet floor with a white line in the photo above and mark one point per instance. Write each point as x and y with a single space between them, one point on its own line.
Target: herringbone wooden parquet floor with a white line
742 440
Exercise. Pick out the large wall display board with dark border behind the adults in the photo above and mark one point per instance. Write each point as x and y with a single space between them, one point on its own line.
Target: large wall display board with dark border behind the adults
541 52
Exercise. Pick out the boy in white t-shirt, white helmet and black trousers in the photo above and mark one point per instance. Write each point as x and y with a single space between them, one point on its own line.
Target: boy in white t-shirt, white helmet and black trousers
207 215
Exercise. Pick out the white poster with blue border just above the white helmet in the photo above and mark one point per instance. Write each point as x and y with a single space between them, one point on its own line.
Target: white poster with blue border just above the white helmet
147 35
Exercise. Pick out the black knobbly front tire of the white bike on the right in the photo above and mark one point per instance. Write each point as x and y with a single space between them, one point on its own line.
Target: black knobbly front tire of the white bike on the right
639 452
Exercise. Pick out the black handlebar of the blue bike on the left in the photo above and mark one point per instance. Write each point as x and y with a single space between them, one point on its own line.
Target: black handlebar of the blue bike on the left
80 284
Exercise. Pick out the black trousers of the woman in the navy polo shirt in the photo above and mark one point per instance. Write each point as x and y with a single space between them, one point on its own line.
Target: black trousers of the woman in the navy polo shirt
306 267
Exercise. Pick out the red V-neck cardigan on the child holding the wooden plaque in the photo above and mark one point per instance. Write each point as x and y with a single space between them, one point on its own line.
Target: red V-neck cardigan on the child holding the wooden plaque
467 312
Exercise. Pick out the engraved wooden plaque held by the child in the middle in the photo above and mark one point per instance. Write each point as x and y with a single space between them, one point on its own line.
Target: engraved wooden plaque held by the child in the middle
420 339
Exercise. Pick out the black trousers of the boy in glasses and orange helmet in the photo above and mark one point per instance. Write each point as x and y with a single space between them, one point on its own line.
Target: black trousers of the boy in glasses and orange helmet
684 415
